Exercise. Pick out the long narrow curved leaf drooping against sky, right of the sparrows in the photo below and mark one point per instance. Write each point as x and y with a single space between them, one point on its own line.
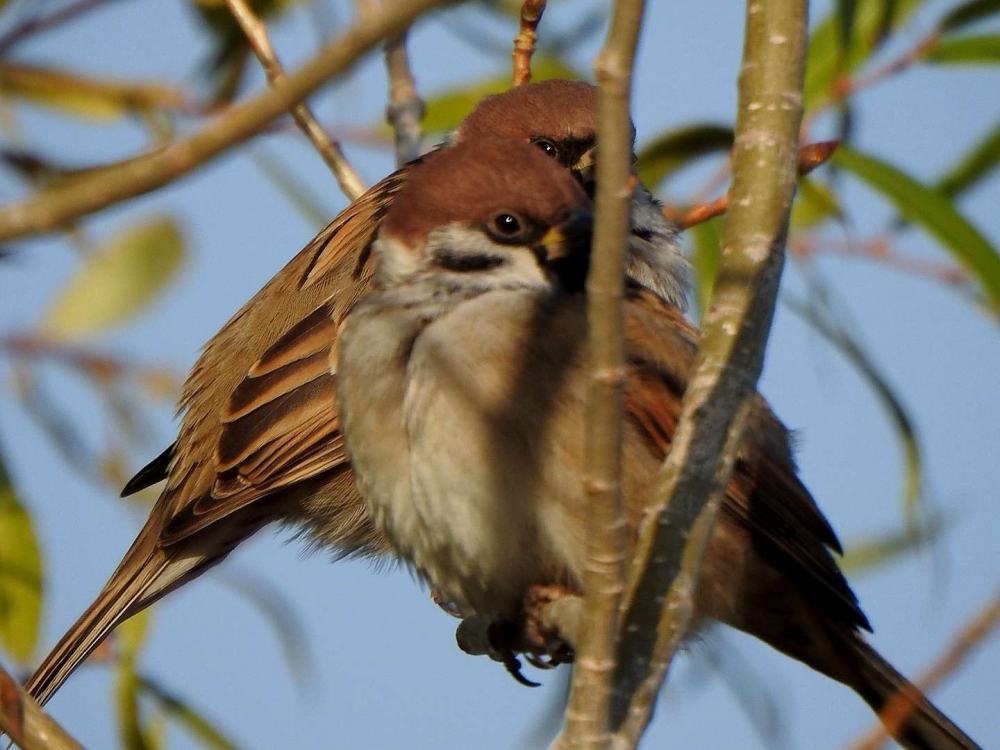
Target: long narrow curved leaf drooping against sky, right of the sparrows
901 420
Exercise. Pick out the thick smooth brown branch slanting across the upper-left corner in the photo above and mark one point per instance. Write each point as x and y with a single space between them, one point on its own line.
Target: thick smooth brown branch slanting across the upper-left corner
54 208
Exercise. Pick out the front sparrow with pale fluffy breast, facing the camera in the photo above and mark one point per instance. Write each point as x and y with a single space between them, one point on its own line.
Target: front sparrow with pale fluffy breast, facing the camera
462 386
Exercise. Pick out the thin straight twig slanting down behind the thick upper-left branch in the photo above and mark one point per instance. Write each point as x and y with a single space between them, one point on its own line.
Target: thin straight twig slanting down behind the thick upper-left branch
329 149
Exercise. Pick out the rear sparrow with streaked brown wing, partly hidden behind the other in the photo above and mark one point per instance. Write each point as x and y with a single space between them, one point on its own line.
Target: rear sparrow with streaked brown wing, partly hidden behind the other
260 439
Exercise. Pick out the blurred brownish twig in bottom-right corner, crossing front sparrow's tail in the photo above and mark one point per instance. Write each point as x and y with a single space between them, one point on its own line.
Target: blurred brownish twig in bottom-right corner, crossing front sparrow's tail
899 707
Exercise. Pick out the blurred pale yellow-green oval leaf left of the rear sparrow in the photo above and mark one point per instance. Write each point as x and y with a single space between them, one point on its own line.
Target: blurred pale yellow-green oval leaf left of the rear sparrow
118 280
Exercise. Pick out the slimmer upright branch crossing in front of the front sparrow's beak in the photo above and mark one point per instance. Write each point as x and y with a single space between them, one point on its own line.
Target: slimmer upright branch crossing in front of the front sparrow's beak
587 713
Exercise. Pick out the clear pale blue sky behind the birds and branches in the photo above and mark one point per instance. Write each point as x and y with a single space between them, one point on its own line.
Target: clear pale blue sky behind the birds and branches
387 673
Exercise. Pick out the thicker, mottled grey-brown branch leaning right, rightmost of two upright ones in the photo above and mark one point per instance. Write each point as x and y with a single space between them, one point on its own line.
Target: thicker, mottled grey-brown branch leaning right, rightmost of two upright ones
660 595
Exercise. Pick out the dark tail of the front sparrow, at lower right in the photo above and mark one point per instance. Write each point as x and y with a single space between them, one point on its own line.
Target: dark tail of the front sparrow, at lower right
915 722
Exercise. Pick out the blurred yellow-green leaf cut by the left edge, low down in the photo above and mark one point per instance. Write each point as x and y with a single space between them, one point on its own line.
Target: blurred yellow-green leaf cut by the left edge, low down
20 575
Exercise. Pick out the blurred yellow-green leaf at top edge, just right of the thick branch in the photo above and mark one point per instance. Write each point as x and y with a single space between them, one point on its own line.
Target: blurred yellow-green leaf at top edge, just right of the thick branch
827 61
